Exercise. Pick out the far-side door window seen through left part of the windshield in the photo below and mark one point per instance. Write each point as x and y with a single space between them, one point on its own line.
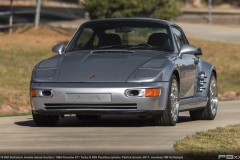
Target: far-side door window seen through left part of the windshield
83 39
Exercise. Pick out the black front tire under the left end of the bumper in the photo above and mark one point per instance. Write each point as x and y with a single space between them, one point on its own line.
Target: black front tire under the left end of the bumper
45 120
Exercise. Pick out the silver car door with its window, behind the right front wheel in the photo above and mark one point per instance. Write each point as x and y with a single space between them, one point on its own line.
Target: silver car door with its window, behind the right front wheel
186 65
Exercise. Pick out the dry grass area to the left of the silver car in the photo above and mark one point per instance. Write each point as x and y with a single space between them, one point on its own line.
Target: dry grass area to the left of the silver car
19 53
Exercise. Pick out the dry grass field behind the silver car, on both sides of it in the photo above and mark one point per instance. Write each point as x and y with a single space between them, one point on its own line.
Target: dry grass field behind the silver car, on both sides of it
20 52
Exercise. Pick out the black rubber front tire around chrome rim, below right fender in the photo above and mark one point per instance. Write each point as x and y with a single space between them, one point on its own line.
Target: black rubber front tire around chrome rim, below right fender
166 118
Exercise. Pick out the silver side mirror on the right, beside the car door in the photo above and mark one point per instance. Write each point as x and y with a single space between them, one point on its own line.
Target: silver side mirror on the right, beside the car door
189 49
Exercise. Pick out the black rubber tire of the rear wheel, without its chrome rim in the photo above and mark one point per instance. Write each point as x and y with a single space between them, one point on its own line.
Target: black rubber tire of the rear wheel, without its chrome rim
206 112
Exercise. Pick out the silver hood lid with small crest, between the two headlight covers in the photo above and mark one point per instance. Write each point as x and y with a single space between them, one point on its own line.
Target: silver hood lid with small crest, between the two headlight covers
102 66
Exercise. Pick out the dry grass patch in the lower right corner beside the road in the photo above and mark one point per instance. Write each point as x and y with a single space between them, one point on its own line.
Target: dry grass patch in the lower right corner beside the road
210 144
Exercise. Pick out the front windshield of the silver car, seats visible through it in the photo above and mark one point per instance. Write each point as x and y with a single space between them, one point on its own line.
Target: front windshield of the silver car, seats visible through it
124 34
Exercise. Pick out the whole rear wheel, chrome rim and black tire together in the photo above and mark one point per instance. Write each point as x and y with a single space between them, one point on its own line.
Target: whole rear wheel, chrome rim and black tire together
209 112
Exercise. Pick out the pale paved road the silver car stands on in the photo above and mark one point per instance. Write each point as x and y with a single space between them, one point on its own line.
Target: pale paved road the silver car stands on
111 135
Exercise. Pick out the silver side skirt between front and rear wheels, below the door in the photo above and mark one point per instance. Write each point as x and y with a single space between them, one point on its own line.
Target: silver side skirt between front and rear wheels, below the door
192 103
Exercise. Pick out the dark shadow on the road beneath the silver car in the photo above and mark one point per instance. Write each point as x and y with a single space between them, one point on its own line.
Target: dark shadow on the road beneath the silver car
105 121
